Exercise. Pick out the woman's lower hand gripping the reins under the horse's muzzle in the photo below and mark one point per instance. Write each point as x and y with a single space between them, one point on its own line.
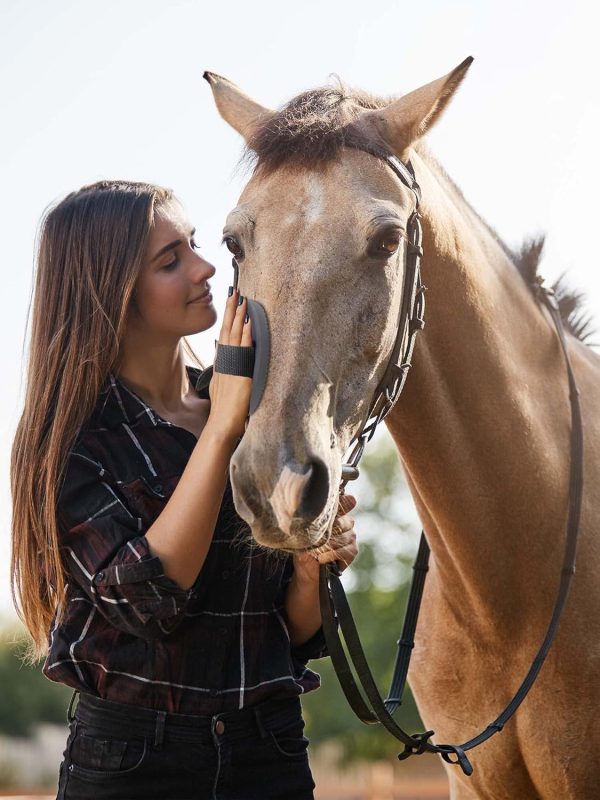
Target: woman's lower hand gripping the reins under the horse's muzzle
341 547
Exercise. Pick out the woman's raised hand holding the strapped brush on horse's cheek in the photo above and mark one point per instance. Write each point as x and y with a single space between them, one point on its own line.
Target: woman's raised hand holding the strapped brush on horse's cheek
230 394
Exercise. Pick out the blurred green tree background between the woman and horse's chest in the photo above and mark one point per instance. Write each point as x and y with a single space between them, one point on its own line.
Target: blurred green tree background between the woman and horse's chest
377 587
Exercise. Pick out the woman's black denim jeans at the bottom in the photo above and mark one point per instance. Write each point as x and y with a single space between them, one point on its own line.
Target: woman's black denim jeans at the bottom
121 752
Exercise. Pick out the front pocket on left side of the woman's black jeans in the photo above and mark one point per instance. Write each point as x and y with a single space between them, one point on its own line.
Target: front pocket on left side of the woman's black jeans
97 756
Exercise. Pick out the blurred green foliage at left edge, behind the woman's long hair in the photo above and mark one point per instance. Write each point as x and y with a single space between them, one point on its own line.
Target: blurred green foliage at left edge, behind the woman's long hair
27 697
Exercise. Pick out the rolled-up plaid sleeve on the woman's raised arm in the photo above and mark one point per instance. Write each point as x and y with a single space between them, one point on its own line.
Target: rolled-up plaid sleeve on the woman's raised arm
105 550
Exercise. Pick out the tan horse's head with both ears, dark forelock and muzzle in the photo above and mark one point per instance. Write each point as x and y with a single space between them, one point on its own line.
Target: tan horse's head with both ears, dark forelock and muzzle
319 237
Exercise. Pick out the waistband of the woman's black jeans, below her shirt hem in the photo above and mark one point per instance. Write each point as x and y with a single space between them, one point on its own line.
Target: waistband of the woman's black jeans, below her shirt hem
259 718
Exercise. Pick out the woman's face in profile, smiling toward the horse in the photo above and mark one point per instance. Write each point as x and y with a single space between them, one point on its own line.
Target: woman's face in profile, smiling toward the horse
173 276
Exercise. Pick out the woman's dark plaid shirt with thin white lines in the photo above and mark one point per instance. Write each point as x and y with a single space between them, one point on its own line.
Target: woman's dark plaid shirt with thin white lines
126 631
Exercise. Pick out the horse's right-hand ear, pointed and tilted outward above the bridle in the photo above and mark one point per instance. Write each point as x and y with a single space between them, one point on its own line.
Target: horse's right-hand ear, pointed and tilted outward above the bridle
405 120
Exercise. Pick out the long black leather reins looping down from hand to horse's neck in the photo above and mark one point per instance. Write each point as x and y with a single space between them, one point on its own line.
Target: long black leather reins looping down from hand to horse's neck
333 599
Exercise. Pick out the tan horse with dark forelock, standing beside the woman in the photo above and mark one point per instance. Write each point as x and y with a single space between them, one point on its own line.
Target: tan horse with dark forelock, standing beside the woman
482 426
